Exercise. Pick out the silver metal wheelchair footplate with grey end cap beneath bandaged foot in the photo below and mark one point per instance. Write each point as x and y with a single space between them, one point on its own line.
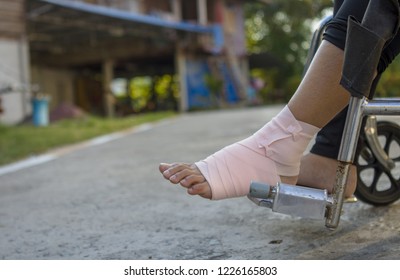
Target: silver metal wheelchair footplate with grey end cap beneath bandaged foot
291 200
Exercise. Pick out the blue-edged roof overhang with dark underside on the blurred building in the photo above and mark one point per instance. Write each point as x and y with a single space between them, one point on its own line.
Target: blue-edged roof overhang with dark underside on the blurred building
74 33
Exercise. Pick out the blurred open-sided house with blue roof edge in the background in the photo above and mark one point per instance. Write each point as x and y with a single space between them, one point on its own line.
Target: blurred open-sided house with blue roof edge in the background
72 50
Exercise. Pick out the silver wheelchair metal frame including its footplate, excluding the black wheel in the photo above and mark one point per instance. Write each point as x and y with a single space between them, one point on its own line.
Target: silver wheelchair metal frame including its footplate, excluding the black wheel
307 202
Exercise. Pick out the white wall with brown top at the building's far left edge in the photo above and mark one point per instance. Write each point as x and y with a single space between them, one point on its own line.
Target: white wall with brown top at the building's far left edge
14 63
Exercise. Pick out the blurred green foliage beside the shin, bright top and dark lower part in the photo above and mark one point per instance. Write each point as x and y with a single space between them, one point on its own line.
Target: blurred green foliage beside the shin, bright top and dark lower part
283 28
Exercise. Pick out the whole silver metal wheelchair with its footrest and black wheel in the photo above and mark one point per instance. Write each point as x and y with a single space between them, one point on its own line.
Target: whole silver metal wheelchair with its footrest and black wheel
372 145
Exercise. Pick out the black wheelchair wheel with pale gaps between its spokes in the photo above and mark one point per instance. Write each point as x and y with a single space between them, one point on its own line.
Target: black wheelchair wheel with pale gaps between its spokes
377 185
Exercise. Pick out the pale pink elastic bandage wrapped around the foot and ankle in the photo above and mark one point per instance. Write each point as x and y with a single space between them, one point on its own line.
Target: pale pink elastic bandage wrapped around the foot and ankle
273 151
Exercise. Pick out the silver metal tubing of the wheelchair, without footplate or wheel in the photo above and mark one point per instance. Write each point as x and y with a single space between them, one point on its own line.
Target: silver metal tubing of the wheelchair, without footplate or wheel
358 109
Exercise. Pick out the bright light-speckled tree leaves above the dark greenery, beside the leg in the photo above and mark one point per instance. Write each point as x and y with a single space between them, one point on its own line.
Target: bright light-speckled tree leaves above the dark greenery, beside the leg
283 27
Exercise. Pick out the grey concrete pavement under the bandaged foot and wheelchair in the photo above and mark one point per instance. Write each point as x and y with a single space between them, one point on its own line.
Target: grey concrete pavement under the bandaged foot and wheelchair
107 200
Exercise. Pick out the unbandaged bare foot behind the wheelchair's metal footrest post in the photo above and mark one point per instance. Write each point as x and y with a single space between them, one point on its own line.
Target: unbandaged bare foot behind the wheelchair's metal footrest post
320 172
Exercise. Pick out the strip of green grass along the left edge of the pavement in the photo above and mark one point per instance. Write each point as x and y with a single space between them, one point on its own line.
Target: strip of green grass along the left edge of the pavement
18 142
